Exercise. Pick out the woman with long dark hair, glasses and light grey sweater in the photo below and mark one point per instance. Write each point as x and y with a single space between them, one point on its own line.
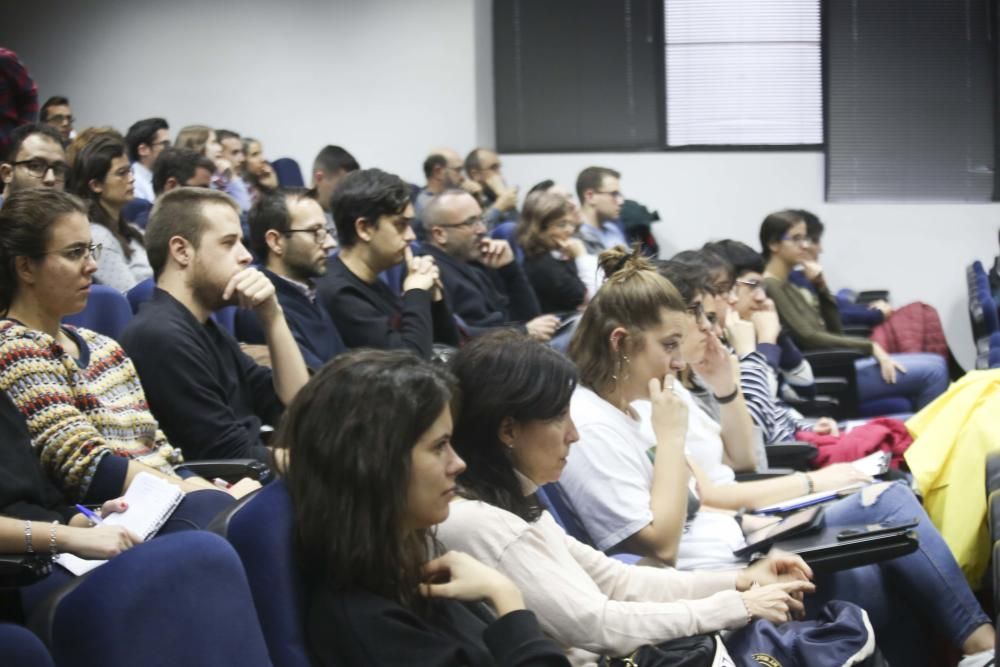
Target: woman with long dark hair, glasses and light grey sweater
103 177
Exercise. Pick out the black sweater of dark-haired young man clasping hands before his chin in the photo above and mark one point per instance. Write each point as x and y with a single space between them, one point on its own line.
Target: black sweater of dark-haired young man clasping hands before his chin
370 315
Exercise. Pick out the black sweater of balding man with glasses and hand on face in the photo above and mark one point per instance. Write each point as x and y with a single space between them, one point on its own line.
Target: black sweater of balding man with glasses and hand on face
485 298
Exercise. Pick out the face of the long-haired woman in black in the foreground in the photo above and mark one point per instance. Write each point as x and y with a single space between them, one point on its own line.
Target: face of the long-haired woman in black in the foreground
434 471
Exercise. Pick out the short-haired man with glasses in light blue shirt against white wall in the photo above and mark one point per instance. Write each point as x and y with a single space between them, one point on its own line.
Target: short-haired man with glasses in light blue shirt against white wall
601 200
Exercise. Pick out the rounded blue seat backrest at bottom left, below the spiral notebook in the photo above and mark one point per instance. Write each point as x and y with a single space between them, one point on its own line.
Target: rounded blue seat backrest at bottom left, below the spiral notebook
179 599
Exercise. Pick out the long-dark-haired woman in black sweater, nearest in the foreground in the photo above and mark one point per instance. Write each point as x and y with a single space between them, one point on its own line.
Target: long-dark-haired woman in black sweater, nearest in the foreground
367 492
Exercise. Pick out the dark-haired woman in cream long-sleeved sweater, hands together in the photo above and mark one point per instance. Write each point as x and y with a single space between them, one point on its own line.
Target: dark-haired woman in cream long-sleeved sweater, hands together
514 432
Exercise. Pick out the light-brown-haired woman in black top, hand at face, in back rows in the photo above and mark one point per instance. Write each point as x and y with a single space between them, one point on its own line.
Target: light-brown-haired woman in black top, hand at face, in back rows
545 234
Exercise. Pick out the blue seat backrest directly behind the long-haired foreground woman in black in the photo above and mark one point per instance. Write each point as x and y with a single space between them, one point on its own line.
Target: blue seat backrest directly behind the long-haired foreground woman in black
261 533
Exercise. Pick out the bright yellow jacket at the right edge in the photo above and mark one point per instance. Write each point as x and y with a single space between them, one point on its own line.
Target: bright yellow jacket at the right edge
951 439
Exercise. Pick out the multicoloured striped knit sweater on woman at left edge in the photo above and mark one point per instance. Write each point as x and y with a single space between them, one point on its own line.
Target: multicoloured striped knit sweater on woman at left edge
75 415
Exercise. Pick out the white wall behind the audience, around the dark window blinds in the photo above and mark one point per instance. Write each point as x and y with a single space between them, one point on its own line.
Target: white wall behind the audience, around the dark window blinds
389 79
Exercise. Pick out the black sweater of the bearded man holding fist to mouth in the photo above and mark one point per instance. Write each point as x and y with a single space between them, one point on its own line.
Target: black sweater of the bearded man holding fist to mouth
208 396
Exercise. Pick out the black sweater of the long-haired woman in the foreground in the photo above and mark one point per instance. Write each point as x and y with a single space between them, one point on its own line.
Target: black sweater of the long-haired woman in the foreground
347 629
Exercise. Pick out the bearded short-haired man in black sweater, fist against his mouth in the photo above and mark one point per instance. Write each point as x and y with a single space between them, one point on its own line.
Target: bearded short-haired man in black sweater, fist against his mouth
208 396
